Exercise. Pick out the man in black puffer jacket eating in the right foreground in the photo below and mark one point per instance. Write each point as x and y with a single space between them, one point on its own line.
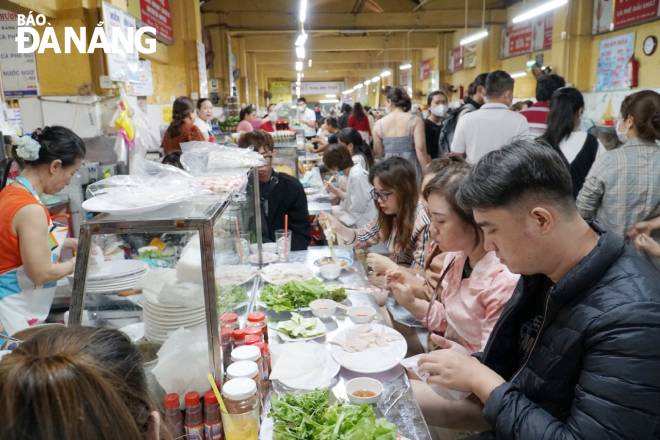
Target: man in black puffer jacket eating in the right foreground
575 354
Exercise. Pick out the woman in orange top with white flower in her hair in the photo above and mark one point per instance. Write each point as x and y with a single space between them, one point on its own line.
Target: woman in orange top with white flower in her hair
29 251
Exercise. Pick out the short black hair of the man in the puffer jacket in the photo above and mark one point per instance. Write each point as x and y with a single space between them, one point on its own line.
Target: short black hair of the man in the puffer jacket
523 168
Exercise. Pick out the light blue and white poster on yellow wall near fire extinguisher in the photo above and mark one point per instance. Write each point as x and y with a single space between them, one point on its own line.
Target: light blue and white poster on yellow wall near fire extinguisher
613 56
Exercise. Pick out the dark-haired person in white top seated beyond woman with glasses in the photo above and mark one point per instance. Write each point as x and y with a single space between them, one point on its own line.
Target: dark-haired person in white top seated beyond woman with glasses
356 208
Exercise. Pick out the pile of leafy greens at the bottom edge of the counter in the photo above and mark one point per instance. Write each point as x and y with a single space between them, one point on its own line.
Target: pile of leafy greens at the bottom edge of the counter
310 417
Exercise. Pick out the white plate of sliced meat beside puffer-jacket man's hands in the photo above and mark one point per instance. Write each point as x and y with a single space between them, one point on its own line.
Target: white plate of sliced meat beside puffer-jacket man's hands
368 348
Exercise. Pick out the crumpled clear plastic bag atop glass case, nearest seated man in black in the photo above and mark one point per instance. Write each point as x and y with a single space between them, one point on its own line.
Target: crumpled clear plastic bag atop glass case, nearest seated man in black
201 158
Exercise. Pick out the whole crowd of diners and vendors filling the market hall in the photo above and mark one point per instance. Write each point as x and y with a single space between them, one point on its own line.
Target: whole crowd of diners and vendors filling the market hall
543 249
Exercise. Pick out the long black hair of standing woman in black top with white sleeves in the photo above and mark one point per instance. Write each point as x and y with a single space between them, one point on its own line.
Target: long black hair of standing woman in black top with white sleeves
565 106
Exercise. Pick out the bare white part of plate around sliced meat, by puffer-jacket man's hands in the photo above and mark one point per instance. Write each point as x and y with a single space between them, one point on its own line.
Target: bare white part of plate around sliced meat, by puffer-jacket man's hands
372 360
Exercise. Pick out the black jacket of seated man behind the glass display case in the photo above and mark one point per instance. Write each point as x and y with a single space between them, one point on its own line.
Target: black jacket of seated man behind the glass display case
285 195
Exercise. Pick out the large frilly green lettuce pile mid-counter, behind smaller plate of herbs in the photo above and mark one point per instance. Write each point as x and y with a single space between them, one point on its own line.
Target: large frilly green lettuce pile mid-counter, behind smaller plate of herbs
297 294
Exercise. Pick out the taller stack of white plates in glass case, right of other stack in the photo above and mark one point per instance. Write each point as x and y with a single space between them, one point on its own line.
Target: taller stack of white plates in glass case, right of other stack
160 320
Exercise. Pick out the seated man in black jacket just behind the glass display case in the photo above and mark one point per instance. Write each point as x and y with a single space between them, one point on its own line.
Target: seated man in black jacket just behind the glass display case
280 194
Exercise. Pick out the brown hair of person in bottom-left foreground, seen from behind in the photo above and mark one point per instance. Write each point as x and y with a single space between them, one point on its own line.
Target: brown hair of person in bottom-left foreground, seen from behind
74 382
